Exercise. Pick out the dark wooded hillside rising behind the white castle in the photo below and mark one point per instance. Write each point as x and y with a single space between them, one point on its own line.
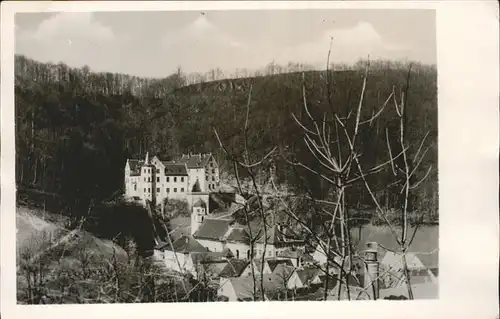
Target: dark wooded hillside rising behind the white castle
76 128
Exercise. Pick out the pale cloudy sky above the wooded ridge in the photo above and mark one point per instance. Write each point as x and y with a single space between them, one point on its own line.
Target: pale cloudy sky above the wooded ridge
155 43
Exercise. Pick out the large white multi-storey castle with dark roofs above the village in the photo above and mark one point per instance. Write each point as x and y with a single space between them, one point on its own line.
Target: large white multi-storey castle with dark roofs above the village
191 178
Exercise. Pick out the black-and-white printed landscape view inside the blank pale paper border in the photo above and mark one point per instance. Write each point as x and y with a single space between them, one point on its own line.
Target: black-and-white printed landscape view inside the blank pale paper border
192 156
